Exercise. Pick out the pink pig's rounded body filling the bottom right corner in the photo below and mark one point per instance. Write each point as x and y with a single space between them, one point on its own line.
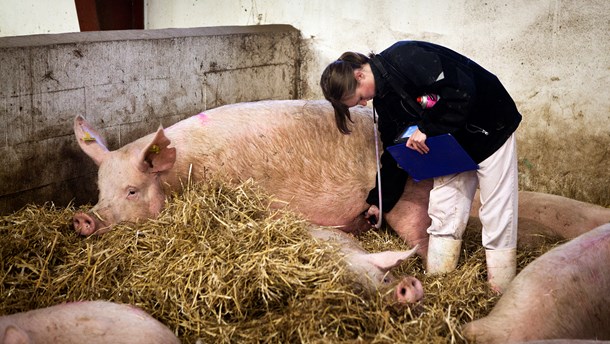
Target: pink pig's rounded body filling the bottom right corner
562 294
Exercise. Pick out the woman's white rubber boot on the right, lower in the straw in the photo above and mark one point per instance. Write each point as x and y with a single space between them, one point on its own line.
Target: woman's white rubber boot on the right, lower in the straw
501 268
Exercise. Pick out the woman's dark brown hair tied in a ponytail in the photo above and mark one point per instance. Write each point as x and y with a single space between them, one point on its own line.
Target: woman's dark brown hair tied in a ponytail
338 83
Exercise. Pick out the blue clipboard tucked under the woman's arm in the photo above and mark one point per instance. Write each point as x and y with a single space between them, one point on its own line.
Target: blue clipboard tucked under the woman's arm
446 156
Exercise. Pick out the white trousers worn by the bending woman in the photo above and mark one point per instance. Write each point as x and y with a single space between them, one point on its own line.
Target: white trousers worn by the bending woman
497 178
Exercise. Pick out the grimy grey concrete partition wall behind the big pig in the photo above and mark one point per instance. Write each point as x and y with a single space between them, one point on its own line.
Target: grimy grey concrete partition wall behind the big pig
127 83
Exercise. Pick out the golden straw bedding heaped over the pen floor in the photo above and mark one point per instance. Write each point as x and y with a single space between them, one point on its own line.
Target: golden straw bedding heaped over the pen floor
219 266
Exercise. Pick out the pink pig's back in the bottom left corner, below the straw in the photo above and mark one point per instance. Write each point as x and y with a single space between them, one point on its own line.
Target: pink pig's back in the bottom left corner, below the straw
84 322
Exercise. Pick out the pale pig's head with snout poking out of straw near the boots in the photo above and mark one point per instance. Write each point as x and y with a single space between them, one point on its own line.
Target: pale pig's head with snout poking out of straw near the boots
373 269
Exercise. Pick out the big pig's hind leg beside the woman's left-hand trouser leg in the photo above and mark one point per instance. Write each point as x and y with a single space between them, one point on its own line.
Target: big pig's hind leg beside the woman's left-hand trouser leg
409 217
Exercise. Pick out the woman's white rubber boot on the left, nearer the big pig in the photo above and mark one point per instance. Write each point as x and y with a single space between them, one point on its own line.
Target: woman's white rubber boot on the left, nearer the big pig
443 254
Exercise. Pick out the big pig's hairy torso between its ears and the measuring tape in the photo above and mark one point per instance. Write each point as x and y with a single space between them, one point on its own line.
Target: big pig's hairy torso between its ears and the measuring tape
292 148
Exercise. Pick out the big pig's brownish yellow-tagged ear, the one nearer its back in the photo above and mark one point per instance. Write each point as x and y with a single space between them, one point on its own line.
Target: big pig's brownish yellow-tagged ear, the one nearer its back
157 156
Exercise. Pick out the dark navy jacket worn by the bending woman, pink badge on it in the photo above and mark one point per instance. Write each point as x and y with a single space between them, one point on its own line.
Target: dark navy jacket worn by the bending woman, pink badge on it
474 106
